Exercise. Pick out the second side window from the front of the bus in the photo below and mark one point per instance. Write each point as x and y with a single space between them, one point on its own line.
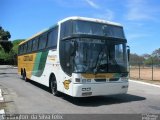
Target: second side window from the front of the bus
42 41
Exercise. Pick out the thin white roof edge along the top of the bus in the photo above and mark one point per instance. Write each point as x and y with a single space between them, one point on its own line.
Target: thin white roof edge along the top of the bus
74 18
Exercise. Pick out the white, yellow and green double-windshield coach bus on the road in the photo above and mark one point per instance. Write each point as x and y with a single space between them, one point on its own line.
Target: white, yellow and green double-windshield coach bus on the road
79 56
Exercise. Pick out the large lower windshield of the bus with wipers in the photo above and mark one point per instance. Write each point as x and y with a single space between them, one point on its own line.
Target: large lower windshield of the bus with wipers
86 55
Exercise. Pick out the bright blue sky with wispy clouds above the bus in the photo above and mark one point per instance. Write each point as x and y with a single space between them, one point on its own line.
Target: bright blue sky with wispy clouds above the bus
140 18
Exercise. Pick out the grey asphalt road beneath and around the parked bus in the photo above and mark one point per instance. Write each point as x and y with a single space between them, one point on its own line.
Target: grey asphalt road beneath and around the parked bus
30 97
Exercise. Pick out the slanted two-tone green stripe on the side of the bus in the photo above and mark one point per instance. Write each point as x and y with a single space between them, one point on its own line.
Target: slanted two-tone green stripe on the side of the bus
39 64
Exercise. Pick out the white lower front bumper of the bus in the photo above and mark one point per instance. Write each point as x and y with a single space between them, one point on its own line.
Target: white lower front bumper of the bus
99 89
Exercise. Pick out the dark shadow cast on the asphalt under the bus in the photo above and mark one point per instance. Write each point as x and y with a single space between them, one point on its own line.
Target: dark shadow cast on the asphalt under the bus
95 100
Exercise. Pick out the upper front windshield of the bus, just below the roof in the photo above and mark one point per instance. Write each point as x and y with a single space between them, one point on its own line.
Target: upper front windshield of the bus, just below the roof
100 29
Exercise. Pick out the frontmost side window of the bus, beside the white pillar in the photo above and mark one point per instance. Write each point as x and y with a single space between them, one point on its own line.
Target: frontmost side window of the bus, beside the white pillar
52 38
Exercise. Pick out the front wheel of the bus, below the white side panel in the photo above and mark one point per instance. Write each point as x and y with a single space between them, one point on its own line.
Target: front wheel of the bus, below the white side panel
53 87
